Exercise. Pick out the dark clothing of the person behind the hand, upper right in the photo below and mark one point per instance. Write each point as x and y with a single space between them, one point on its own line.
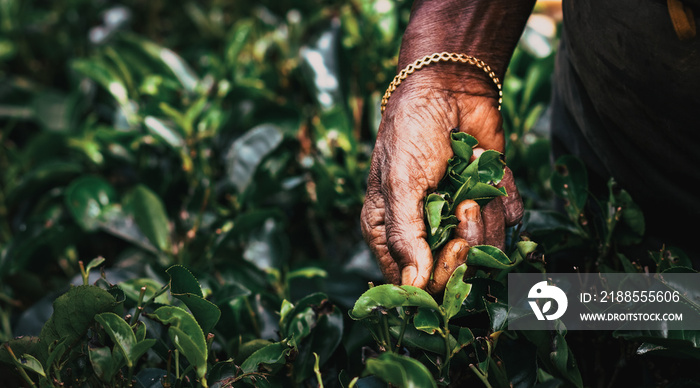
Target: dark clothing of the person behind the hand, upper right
627 102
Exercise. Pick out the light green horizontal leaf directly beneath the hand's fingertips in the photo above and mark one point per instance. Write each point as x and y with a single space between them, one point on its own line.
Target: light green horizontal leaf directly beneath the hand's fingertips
390 296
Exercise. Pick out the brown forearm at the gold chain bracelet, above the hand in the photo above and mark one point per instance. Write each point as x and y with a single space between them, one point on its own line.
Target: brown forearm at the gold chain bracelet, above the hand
486 29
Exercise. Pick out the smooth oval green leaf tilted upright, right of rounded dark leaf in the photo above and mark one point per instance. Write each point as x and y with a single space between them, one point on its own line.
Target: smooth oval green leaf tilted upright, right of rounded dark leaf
149 213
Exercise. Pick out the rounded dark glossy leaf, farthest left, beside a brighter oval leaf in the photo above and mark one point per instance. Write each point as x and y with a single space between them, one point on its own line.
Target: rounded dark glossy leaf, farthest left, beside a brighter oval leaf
87 199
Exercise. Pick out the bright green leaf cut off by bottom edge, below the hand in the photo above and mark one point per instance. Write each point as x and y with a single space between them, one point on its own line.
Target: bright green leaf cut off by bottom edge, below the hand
400 371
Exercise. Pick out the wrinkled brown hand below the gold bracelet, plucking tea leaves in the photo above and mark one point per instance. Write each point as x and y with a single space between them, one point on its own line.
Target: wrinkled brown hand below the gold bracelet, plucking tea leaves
409 159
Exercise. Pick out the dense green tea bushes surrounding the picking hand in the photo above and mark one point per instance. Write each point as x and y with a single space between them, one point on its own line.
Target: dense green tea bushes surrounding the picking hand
179 201
